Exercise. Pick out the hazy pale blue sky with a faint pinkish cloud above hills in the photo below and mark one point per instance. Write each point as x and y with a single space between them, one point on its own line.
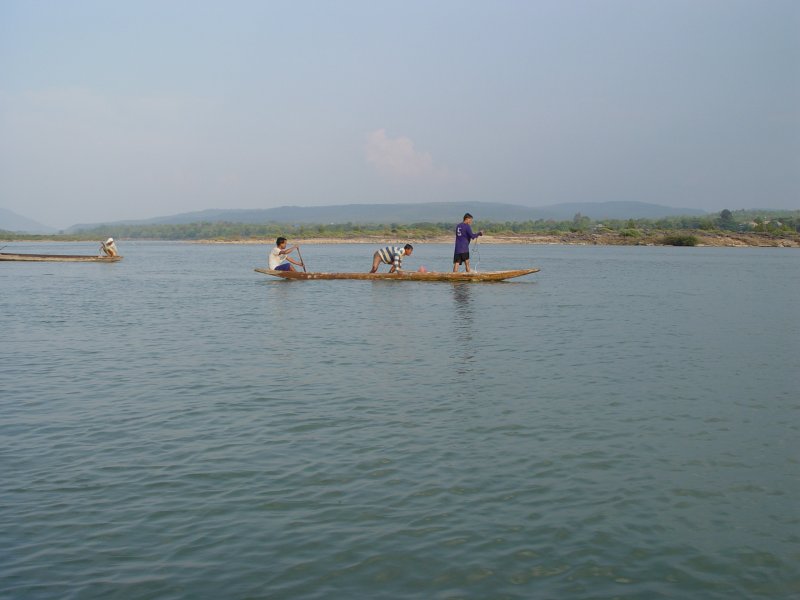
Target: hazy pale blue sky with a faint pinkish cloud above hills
131 109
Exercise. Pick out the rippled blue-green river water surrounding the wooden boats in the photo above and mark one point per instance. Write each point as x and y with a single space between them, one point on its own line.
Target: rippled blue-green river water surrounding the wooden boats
623 424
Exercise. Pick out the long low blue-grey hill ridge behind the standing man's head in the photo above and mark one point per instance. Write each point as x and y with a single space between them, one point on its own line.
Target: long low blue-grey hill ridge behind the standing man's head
433 212
